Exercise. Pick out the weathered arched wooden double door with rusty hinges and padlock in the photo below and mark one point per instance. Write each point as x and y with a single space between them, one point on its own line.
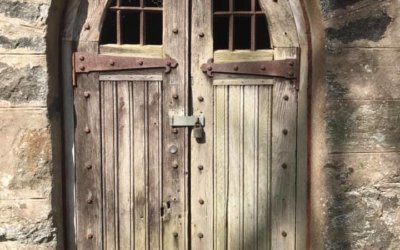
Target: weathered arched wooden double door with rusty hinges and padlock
143 181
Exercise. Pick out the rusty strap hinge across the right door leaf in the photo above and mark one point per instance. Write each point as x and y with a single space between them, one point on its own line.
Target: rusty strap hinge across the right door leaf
287 68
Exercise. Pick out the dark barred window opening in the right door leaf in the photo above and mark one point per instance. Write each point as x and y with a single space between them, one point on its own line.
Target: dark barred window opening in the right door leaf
240 24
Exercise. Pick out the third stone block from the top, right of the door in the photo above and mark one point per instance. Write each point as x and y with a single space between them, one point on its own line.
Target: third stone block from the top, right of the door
363 126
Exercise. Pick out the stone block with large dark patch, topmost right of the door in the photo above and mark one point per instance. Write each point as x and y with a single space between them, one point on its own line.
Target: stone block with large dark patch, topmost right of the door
371 25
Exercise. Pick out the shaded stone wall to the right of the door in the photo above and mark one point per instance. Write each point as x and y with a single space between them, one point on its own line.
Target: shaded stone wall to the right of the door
355 173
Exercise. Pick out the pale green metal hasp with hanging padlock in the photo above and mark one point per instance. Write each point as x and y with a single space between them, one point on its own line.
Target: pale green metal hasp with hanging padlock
197 122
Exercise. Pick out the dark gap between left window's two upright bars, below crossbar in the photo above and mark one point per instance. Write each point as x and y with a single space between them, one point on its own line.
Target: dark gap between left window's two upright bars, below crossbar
130 22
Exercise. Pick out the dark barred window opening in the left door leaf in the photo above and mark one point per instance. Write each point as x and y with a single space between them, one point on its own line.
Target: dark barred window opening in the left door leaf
133 22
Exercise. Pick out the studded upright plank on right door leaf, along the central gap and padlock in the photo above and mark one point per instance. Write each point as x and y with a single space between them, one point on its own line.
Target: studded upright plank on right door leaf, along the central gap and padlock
202 153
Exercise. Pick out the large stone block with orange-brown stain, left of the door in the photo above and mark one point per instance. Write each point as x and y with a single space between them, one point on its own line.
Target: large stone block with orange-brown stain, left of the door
25 154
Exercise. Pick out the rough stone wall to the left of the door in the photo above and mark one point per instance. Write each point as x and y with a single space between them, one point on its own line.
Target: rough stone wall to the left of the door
30 163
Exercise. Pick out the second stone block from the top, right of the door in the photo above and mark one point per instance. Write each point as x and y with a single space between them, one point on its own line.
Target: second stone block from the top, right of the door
363 74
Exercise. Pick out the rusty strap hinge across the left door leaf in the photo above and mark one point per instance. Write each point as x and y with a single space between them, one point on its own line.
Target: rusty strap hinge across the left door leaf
87 62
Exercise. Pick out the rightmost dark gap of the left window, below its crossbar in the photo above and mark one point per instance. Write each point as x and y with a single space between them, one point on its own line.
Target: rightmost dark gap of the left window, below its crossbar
153 28
